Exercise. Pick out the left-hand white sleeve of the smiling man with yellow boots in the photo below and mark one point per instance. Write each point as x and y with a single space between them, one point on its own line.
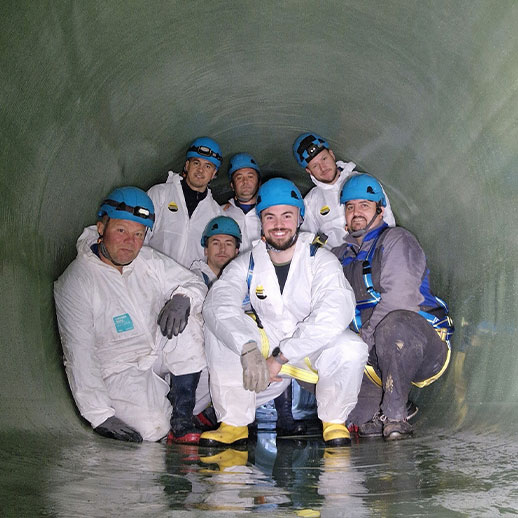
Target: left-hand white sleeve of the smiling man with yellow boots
223 311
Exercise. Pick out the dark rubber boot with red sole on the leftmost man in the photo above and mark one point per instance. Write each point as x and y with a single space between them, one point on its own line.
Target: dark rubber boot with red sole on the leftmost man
182 398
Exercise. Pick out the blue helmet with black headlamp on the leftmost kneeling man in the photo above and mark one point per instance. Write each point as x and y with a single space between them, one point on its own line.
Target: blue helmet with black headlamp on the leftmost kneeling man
129 203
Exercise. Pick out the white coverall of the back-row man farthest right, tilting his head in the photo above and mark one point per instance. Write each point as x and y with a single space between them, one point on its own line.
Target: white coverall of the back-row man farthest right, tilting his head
324 212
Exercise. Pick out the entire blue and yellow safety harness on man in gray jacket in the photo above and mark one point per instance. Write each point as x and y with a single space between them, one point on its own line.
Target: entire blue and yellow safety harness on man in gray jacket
443 326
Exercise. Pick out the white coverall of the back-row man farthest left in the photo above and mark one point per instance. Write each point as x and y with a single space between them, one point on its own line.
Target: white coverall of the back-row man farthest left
174 232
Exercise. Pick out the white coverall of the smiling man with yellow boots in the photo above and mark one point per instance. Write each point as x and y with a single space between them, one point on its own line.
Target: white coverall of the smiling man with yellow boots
309 319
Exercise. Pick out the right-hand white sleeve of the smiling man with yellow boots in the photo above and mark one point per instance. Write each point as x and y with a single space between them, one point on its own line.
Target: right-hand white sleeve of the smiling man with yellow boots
332 309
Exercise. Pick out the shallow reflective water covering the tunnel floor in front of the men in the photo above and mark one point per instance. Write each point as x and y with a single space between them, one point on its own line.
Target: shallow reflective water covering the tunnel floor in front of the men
429 475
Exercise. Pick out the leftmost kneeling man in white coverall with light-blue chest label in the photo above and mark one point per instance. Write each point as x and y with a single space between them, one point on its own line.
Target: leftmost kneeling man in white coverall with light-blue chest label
117 355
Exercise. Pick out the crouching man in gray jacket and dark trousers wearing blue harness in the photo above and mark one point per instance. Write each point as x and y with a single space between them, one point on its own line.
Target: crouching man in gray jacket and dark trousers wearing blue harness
406 327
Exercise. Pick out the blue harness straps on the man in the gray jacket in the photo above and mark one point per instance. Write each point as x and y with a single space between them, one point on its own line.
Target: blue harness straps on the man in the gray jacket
443 326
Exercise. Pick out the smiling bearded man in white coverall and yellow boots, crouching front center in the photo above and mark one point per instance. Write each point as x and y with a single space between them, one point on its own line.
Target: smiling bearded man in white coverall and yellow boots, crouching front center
301 306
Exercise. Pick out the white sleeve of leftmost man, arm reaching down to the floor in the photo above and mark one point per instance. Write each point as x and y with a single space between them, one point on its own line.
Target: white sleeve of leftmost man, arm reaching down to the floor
76 328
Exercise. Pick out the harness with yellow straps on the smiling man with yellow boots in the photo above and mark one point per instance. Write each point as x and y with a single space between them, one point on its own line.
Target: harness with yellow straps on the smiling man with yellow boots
309 376
